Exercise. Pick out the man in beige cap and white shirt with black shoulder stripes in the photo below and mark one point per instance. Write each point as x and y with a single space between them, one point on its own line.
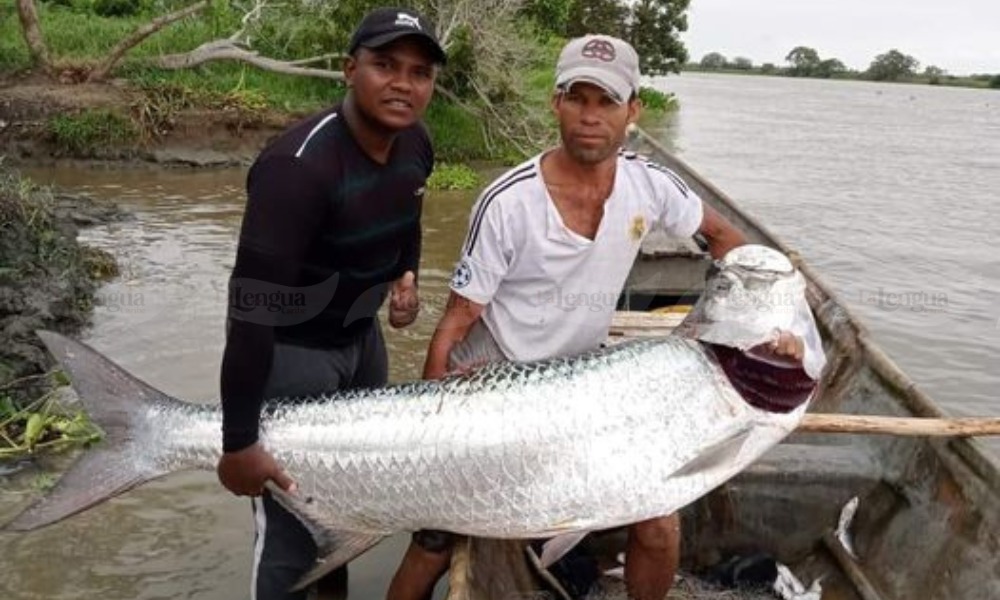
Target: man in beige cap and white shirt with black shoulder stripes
549 246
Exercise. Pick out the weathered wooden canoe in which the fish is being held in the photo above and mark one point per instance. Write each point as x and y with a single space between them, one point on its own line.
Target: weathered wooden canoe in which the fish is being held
928 522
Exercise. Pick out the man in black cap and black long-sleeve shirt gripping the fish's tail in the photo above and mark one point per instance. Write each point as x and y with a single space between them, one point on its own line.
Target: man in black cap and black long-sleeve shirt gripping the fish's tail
333 215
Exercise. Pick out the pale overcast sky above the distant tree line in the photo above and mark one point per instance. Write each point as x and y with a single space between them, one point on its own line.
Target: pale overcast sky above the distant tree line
959 36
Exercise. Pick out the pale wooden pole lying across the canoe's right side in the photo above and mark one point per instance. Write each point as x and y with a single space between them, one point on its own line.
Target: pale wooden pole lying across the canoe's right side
958 426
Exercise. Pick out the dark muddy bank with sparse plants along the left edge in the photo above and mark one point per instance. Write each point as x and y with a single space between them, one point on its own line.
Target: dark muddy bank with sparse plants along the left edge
45 279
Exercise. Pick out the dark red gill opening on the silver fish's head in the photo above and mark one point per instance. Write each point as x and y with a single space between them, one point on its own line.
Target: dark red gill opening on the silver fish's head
772 385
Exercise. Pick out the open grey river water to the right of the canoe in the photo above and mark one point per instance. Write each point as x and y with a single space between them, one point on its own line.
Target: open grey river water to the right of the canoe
890 190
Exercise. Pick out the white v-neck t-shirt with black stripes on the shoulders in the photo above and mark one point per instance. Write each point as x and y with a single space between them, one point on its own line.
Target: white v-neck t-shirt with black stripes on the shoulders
549 291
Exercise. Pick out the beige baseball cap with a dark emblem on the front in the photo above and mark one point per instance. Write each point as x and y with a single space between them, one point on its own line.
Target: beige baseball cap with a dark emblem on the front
602 60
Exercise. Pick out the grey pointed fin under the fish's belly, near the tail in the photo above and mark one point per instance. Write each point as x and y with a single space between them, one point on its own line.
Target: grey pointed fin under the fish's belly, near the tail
334 547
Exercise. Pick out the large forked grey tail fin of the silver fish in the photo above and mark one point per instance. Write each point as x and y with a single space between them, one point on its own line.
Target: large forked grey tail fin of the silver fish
113 399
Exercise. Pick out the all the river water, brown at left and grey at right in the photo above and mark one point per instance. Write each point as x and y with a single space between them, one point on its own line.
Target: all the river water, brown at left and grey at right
887 189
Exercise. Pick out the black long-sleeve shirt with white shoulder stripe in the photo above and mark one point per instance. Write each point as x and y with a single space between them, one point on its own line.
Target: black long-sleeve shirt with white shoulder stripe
325 232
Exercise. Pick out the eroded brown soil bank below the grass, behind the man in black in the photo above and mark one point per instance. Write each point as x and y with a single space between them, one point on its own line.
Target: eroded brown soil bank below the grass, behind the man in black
44 120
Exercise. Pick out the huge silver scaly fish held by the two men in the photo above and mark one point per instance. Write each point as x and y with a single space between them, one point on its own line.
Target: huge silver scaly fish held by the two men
607 438
